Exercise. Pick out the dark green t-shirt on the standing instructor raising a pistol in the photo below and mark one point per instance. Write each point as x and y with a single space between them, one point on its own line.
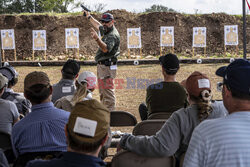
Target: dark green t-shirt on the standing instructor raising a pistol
112 40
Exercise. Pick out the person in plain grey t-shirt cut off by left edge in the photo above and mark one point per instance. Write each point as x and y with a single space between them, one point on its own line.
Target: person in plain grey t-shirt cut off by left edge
9 113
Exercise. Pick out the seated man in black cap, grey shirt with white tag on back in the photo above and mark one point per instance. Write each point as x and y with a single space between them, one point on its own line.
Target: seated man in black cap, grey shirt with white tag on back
66 85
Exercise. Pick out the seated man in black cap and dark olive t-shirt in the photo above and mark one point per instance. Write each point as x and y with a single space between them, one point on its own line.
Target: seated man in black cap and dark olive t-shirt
166 96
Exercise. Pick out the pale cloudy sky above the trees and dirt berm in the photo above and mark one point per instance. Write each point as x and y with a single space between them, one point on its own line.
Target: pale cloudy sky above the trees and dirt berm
182 6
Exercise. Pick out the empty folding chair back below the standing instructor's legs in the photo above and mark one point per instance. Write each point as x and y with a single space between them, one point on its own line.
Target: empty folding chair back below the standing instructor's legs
122 118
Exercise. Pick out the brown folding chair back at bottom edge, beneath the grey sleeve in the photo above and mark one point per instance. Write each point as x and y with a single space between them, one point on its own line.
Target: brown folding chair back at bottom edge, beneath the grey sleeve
129 159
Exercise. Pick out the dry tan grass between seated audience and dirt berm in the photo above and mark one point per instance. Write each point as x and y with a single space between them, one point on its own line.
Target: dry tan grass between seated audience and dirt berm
129 99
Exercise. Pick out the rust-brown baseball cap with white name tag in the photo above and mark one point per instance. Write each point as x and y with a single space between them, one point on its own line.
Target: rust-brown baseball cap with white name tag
196 83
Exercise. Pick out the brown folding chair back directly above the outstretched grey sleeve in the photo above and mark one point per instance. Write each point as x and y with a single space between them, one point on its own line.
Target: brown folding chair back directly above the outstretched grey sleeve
148 127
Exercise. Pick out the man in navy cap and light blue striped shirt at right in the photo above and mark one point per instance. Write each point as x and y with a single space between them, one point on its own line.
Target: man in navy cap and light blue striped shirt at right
225 141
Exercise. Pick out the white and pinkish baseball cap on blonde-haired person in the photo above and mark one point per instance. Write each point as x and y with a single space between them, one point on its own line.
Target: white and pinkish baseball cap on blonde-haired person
88 77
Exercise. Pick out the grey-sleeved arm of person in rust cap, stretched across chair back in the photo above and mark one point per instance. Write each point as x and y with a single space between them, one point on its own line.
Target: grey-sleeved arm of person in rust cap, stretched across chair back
164 143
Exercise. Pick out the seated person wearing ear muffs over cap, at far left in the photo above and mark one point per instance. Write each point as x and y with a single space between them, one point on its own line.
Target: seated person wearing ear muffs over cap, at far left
23 105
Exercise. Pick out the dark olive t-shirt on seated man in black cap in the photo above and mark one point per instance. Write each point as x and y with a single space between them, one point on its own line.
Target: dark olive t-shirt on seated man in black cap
165 97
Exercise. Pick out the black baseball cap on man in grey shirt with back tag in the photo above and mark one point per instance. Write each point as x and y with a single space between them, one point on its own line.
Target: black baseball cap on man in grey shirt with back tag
71 67
